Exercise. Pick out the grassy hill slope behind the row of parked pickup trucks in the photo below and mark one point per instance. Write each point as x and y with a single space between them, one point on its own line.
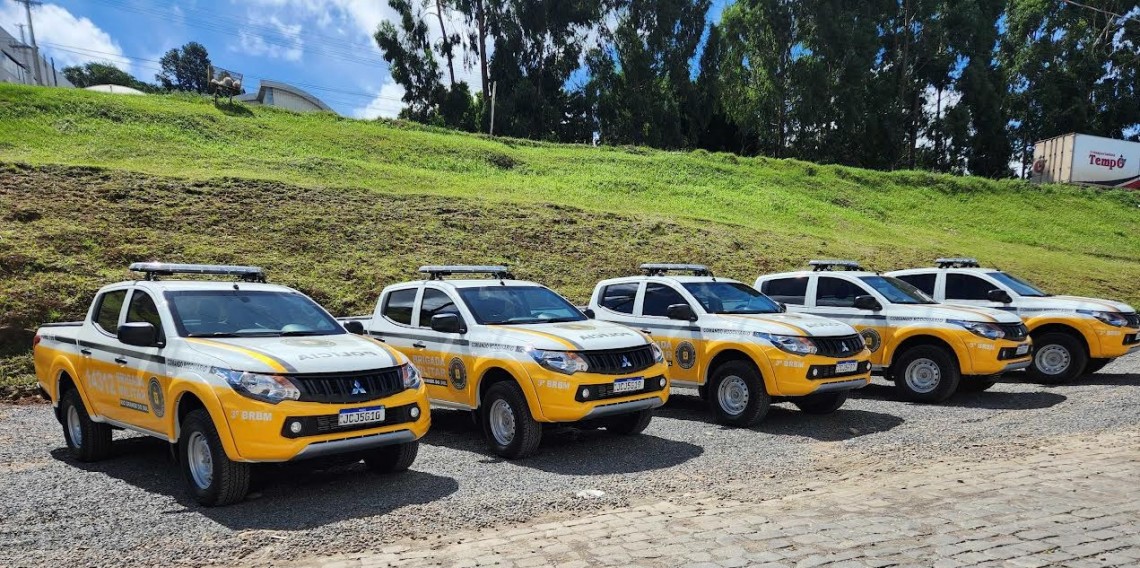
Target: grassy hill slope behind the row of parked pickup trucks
340 208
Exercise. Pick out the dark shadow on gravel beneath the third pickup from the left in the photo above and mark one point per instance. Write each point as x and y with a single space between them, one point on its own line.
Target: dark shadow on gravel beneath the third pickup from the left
786 420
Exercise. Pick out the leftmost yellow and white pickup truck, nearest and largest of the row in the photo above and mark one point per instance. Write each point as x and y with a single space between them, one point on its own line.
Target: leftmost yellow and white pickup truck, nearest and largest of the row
231 374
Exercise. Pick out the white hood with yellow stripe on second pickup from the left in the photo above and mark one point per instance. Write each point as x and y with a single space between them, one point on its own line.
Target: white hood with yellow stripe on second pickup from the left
582 336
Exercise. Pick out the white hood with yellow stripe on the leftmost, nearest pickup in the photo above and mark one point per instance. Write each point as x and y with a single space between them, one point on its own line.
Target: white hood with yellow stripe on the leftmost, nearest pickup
320 354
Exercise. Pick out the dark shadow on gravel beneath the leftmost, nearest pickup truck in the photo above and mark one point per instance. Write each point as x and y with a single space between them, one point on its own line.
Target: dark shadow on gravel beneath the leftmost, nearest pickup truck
283 498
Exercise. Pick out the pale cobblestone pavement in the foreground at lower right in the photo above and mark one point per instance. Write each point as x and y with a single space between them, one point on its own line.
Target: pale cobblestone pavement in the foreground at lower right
1072 504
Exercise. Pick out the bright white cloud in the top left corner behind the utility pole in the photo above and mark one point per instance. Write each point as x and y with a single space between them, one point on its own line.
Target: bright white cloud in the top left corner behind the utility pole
69 39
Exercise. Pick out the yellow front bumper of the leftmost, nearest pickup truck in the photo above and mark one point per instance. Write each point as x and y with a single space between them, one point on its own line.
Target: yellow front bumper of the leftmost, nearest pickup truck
262 432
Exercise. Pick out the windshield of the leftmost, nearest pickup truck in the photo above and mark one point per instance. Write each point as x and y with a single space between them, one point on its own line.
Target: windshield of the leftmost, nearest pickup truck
240 313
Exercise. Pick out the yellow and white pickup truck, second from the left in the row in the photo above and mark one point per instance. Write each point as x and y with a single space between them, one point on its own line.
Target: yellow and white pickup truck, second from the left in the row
519 355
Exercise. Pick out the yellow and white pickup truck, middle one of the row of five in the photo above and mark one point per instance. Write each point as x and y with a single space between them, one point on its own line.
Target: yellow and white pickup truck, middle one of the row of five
735 345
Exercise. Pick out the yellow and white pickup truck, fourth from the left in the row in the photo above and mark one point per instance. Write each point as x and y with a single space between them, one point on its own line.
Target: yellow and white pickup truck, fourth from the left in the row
929 350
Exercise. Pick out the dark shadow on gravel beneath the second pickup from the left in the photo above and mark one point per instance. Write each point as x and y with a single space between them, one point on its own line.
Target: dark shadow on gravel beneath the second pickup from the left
568 451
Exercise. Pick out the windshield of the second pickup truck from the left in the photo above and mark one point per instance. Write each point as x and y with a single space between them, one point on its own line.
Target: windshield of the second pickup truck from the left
518 305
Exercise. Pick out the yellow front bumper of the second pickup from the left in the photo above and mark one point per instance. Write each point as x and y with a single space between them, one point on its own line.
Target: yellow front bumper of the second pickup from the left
581 396
